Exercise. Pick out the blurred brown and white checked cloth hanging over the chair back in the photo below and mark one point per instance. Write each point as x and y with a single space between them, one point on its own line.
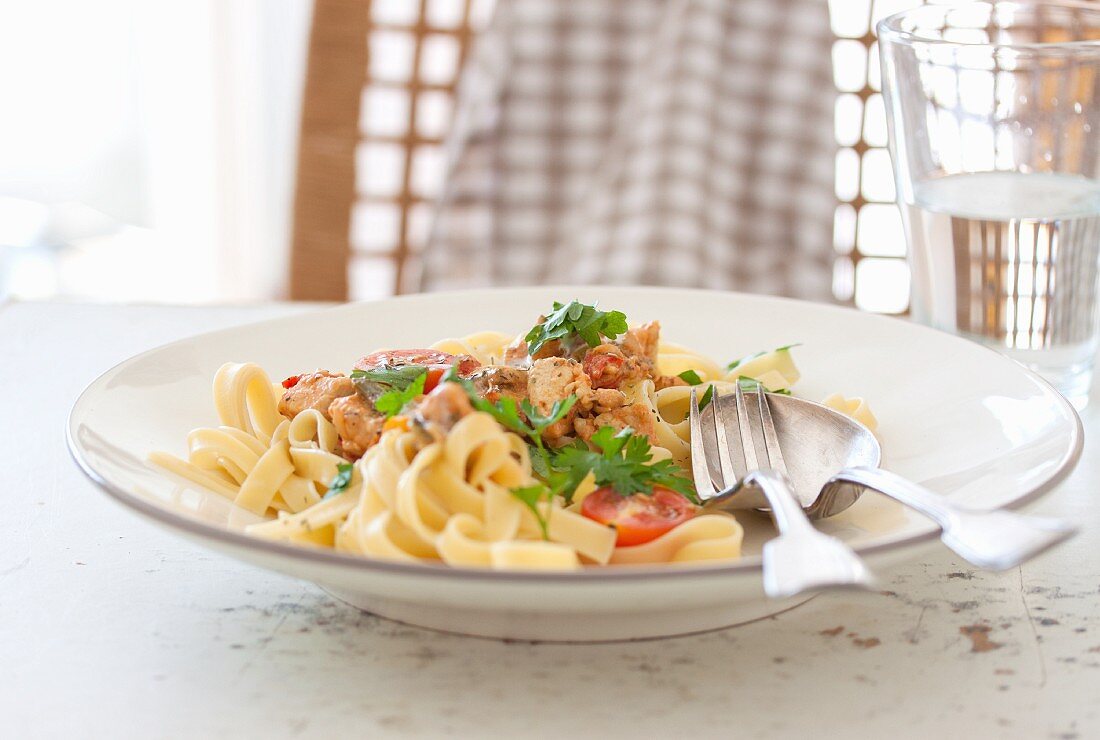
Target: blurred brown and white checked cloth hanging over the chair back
656 142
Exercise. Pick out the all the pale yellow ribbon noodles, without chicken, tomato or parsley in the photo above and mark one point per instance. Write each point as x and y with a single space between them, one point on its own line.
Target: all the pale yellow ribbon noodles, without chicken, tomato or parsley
449 498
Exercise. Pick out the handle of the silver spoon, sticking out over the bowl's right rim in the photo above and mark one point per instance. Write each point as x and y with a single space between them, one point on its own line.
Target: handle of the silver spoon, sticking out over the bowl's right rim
995 540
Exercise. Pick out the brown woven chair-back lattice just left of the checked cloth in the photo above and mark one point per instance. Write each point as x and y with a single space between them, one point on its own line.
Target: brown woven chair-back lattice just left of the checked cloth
415 49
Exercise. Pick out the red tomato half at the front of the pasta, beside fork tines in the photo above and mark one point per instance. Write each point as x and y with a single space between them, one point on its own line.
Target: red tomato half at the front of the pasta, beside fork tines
639 518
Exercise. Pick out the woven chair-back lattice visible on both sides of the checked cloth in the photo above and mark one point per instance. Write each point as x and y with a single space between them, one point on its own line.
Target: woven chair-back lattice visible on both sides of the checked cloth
415 51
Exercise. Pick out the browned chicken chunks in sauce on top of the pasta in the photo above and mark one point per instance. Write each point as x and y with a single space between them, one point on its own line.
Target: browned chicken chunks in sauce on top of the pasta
598 377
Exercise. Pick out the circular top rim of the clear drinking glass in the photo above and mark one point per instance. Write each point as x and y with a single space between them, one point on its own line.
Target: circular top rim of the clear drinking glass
890 29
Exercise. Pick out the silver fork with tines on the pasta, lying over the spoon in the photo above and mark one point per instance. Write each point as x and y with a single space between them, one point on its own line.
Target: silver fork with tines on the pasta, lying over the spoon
801 558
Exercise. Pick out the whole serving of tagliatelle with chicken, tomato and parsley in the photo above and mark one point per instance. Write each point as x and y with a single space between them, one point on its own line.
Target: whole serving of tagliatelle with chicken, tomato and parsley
458 490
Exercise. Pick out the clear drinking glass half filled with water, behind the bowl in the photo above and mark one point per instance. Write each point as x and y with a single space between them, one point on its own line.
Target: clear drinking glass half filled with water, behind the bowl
994 114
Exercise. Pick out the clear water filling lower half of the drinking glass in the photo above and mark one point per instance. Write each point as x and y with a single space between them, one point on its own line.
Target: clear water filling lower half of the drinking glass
1011 260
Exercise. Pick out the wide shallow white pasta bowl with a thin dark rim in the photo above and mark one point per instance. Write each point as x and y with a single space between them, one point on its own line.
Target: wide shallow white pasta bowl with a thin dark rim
956 417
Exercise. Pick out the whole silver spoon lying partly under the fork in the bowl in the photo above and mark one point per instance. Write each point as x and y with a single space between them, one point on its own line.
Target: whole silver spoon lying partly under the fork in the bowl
827 452
